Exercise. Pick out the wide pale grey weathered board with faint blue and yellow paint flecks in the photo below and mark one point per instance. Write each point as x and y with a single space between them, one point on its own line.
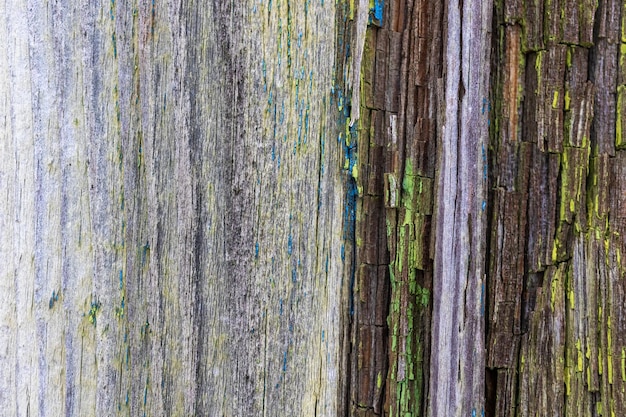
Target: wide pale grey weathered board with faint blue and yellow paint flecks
172 209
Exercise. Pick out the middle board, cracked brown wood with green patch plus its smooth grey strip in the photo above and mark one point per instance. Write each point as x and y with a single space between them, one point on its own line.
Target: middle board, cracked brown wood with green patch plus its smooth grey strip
424 118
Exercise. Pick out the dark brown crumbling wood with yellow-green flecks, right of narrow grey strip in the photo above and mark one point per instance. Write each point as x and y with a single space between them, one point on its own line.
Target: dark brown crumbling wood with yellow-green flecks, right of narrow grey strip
556 275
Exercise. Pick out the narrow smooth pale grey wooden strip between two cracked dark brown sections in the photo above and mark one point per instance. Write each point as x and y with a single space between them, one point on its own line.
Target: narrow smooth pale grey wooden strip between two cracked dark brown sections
457 362
